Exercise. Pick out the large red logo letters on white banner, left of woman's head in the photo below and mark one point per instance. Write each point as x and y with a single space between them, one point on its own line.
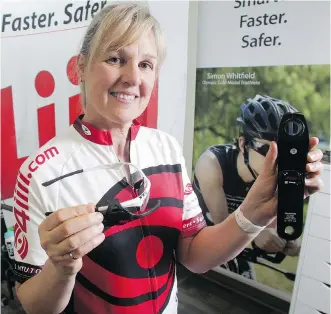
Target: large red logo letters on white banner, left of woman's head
44 85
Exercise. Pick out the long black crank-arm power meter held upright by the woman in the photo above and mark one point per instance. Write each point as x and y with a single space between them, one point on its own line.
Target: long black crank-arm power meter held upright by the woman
293 146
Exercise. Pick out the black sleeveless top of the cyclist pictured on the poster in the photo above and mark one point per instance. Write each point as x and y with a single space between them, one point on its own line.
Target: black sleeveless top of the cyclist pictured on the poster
234 187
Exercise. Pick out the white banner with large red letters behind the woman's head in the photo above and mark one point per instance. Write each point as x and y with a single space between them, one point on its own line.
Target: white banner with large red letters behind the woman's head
40 95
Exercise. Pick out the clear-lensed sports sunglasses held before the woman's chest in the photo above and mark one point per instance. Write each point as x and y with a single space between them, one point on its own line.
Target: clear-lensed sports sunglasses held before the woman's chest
115 212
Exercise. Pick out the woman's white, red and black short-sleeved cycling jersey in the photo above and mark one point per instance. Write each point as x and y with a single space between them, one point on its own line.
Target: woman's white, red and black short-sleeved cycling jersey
133 270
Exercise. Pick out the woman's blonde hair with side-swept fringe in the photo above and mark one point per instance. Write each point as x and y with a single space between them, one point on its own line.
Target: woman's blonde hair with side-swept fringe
116 26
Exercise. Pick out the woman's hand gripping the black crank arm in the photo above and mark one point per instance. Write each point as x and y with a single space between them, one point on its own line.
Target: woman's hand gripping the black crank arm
260 204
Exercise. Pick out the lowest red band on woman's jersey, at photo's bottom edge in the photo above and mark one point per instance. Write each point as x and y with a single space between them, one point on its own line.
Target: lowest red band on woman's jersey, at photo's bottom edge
88 303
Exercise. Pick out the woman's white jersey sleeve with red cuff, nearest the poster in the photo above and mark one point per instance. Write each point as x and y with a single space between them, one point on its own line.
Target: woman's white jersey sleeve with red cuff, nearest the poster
193 220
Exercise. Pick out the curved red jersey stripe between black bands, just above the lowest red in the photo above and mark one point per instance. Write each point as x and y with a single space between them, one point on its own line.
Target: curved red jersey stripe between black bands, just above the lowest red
115 285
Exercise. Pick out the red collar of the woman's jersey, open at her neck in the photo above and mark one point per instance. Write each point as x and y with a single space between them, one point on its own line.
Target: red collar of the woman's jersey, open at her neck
101 136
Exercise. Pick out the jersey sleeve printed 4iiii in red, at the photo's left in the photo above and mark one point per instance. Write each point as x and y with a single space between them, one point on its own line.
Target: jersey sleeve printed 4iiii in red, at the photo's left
28 214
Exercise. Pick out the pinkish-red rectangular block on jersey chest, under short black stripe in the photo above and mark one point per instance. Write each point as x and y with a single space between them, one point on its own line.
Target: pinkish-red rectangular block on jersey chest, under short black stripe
166 184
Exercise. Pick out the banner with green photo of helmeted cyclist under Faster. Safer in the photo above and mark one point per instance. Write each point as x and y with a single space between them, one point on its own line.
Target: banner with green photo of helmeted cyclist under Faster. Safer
262 49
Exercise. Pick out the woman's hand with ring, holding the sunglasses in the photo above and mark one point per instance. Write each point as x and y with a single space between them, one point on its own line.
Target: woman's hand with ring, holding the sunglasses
76 230
